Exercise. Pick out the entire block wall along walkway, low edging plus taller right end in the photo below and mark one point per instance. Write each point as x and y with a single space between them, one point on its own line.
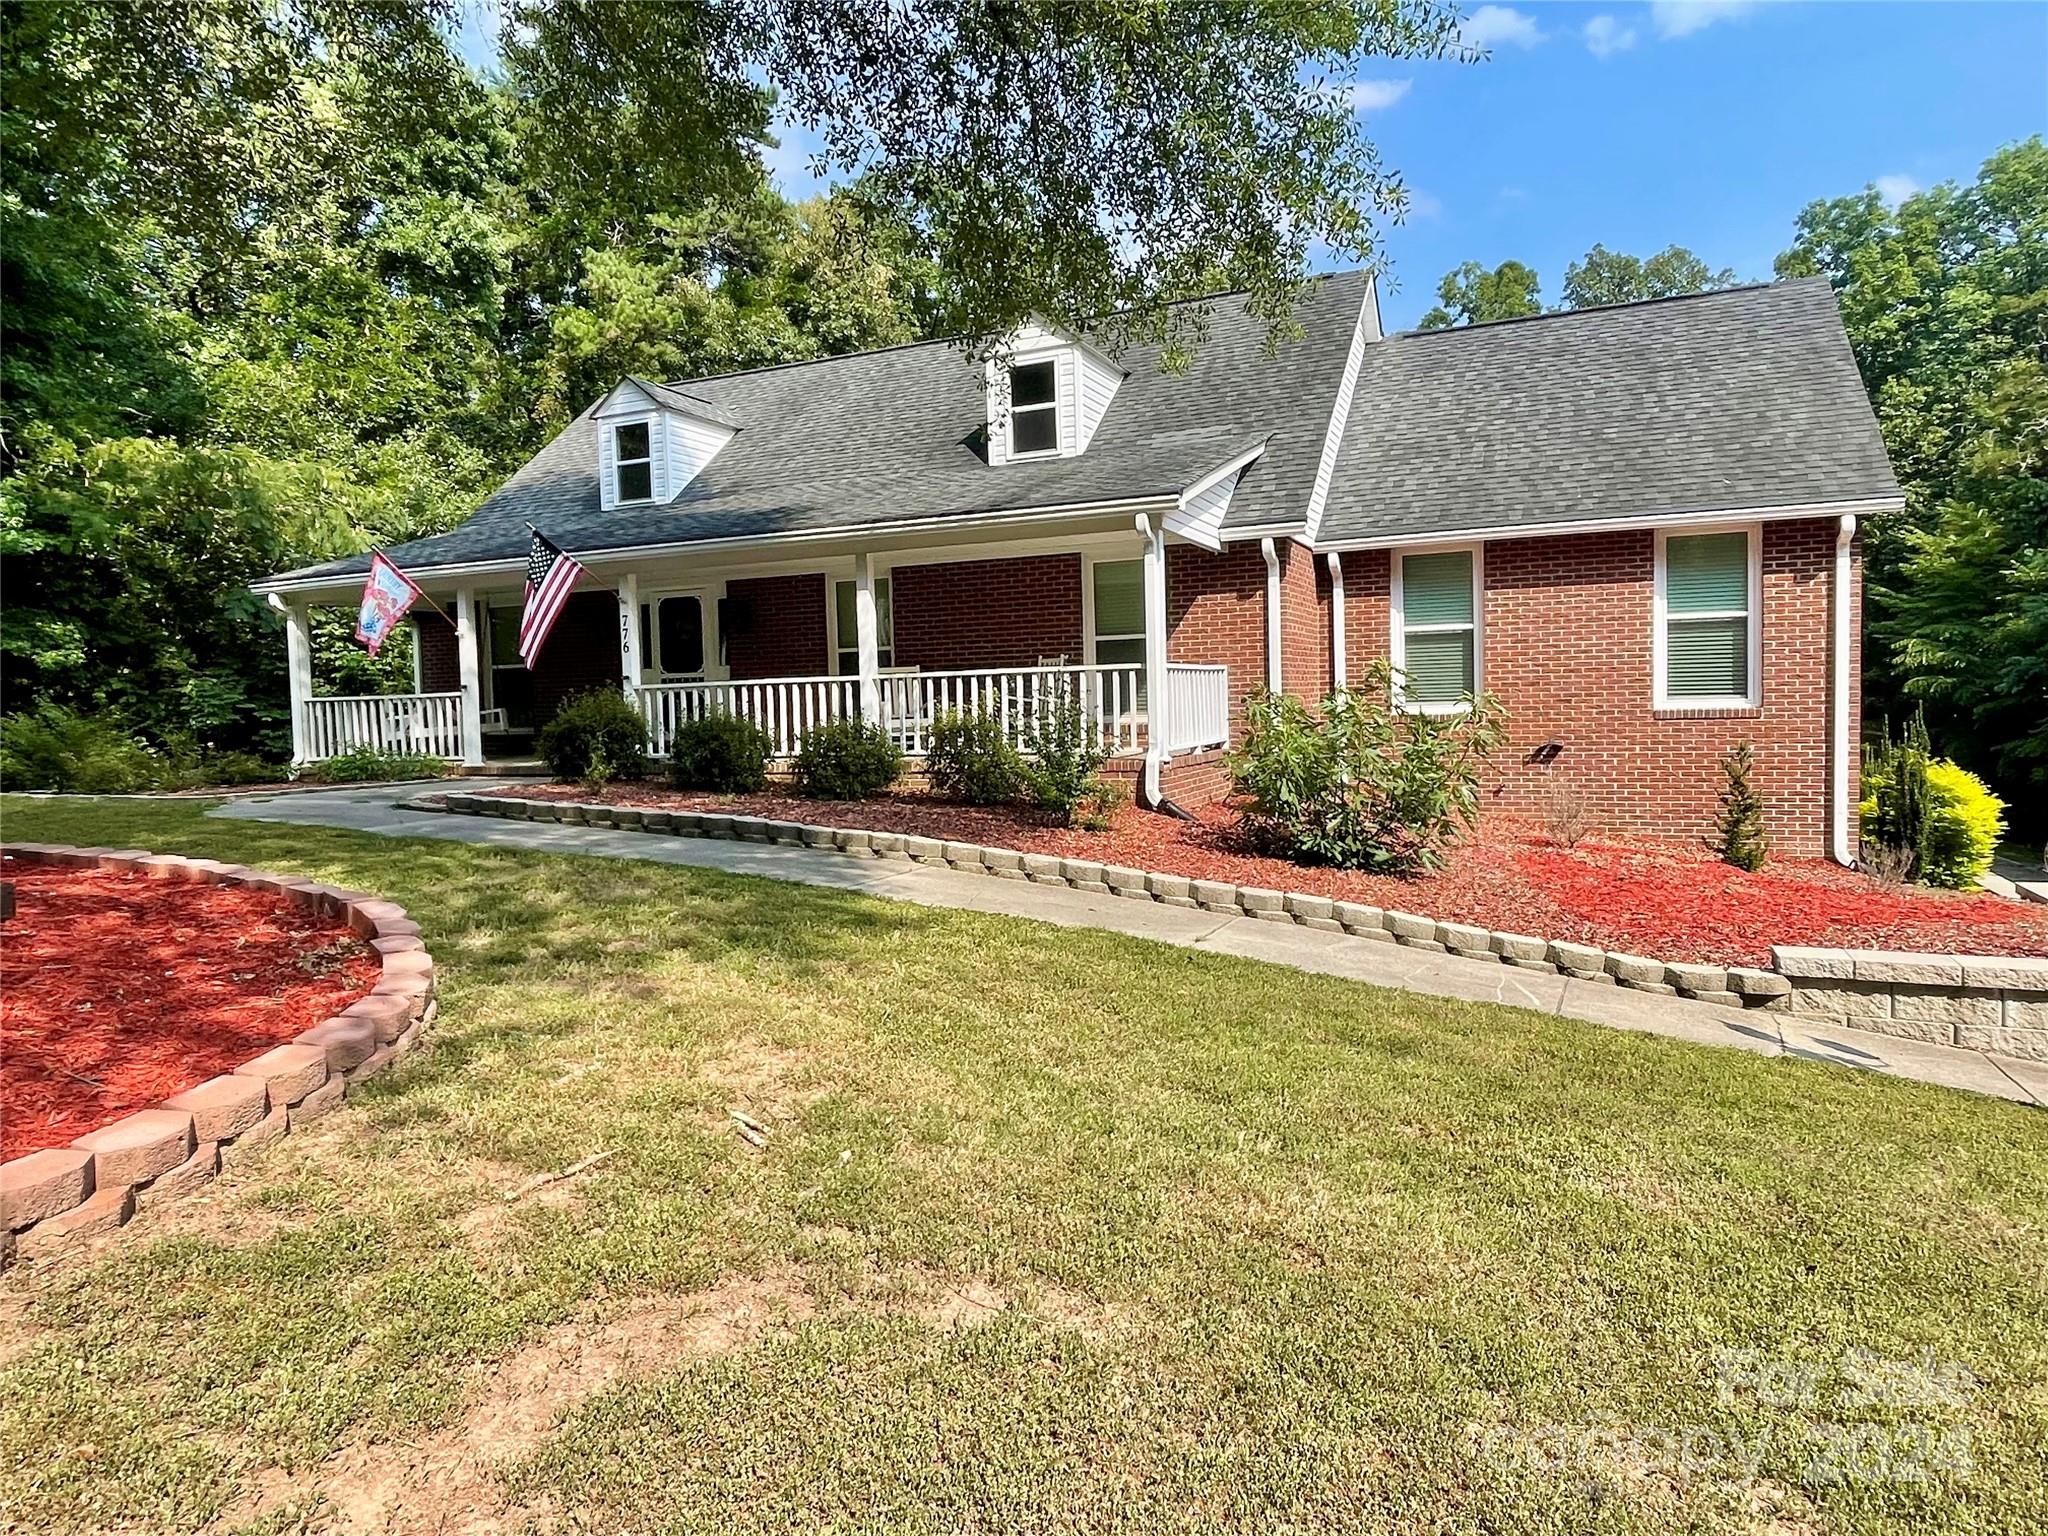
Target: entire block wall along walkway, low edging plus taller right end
1994 1005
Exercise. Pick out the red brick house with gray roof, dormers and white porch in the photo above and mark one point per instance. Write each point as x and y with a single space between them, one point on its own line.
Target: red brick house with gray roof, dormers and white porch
1633 525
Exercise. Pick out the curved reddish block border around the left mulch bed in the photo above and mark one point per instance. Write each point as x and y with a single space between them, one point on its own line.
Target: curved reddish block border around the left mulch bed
60 1197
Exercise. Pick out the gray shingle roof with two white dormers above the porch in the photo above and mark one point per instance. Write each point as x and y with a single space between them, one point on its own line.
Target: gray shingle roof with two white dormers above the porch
892 437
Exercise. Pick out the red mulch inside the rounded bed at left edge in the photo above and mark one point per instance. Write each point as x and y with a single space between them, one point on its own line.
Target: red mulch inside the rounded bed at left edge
118 992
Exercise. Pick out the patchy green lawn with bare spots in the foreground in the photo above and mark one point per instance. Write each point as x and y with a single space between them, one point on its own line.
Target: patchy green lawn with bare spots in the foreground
1052 1232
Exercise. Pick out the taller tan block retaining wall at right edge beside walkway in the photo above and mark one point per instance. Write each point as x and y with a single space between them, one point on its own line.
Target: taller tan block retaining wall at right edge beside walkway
1981 1002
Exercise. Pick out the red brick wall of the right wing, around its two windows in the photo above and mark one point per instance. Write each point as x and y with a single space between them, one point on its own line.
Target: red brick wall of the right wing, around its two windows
1568 648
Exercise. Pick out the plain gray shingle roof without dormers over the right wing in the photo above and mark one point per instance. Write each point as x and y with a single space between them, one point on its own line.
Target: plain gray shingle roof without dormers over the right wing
1730 400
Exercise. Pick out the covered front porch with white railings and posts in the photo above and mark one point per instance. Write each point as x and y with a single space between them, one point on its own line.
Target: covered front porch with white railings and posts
890 636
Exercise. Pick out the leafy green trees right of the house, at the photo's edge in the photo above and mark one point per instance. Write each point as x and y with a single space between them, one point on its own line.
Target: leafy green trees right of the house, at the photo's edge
1947 302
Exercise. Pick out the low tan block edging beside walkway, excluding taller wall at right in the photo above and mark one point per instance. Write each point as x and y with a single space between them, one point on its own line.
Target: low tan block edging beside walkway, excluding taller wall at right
1717 984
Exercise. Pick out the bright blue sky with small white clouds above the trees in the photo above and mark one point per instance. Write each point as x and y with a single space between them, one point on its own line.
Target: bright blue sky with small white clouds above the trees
1705 124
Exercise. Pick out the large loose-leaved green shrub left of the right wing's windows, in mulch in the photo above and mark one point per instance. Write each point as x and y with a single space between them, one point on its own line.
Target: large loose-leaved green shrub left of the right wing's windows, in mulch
1361 783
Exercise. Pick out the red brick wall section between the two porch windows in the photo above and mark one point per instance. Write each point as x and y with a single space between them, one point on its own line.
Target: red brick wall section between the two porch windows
988 613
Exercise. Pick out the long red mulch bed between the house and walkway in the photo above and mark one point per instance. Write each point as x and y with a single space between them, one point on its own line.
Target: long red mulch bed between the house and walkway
1664 900
